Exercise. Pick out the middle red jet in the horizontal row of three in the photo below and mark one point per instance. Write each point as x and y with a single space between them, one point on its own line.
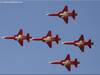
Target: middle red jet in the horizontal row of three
48 39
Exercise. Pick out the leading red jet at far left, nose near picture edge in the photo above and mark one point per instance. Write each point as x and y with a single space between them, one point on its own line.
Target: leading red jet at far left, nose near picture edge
19 37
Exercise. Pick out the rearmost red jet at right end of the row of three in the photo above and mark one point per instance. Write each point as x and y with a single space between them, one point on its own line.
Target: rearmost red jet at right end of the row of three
80 43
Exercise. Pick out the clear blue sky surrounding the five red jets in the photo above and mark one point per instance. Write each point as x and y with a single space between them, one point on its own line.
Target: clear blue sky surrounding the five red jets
33 57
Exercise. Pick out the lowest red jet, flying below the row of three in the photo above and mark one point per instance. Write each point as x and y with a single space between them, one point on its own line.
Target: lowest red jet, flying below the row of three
67 62
